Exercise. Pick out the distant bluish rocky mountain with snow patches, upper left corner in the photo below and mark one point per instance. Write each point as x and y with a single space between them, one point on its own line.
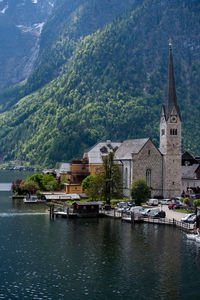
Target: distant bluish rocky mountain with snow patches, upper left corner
21 24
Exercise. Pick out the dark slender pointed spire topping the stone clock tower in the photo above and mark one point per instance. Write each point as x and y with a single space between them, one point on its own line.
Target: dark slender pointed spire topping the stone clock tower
170 99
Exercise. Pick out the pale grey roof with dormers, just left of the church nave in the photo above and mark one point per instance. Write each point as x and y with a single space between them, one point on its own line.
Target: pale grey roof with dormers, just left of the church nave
101 149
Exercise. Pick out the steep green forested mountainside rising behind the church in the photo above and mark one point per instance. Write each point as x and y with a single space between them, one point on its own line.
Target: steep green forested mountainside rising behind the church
101 74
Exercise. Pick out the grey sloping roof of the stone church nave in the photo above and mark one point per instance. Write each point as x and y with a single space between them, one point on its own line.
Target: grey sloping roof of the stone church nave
130 147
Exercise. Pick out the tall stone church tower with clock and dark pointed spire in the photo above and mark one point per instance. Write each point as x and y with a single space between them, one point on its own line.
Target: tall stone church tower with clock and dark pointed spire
170 137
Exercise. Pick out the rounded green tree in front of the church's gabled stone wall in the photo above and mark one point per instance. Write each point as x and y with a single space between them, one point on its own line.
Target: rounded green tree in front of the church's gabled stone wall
140 191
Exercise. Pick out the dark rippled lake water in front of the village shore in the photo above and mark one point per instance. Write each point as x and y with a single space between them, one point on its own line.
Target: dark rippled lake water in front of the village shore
92 258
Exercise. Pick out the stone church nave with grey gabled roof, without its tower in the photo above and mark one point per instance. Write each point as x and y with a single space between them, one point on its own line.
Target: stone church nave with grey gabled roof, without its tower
140 158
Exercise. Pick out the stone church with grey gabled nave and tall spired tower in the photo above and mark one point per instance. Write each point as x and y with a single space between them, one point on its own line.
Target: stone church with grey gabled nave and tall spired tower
161 167
